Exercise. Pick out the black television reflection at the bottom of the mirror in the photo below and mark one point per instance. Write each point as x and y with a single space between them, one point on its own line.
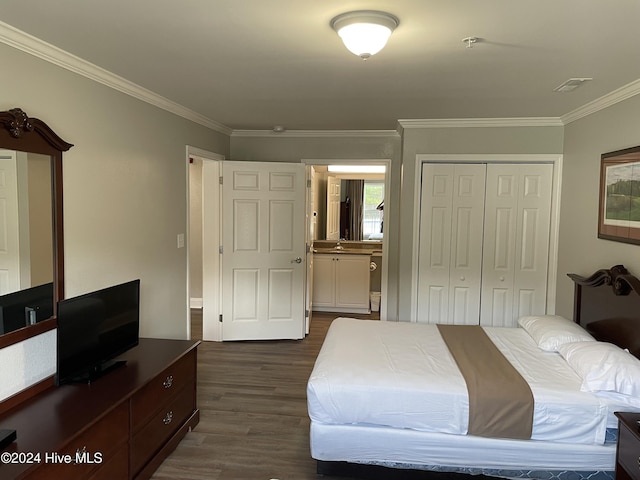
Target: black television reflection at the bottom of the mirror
26 307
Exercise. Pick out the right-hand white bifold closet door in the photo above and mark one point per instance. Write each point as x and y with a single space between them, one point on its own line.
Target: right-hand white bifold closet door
516 242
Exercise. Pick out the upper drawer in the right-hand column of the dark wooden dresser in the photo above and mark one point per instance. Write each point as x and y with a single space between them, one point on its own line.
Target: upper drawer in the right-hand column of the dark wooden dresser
152 396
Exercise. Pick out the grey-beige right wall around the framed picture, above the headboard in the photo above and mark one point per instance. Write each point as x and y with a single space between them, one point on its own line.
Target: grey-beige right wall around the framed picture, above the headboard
581 251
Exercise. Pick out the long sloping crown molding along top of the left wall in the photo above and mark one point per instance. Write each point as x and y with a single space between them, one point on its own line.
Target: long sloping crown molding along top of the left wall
34 46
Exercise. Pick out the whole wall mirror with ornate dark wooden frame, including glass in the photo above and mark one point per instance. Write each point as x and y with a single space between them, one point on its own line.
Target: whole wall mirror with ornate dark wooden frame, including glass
31 237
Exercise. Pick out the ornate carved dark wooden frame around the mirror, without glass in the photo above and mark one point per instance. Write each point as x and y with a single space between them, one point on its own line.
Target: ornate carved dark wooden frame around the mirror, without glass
21 133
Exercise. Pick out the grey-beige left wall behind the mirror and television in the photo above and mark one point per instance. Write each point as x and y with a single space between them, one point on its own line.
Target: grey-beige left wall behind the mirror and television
125 188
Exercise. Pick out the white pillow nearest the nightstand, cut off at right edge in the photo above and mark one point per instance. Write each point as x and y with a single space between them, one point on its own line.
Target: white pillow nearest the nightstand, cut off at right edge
603 367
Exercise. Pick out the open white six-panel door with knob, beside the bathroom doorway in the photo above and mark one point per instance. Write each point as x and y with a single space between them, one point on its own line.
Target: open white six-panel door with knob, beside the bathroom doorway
263 260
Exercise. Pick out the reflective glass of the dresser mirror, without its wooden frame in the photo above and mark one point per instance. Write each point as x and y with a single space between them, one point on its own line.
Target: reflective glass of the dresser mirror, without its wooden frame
26 243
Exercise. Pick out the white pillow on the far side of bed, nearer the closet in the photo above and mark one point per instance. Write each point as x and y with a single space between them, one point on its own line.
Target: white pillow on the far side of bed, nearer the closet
551 331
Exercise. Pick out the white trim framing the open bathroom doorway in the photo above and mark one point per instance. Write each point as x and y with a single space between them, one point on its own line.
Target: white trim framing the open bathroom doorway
309 162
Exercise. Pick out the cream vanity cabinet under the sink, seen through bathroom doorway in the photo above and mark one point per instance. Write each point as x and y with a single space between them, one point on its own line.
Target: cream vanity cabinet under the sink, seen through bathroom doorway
341 283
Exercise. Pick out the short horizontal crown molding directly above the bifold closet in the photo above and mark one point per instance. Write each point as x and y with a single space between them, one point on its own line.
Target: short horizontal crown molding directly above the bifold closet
480 122
